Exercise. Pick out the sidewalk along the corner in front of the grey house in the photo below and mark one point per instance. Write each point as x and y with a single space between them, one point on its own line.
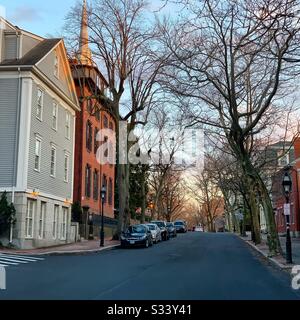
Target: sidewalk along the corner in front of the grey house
84 246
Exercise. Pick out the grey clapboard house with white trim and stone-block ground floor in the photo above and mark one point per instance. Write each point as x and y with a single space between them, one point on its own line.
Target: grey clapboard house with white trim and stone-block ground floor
38 103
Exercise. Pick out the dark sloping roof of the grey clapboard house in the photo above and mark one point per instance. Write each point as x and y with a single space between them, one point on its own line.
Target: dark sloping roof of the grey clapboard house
34 55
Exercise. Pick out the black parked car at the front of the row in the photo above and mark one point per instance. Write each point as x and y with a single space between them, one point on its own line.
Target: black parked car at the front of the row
137 235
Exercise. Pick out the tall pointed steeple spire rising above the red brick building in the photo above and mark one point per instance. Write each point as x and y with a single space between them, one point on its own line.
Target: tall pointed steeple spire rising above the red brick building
84 50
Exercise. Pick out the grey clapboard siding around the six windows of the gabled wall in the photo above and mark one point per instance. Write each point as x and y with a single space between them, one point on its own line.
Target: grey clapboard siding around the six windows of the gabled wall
42 180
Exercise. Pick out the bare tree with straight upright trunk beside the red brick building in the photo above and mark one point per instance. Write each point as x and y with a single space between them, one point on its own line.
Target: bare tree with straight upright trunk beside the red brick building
123 47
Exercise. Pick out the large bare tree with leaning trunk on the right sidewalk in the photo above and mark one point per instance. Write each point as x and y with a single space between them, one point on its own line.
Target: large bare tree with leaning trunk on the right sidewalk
230 60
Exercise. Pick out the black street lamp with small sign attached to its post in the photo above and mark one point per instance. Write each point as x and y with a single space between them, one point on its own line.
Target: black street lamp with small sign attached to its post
287 188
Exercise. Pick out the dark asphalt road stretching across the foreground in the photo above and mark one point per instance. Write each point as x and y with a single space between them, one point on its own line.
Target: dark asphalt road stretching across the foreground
192 266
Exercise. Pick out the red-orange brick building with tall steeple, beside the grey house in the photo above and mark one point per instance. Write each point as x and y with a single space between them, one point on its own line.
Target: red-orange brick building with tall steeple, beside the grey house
90 175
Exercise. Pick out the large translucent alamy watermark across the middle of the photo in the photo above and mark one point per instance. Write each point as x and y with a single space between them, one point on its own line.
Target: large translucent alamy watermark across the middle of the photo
180 147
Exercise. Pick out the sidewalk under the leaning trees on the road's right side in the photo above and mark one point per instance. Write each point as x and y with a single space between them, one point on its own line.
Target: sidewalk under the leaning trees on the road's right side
278 260
